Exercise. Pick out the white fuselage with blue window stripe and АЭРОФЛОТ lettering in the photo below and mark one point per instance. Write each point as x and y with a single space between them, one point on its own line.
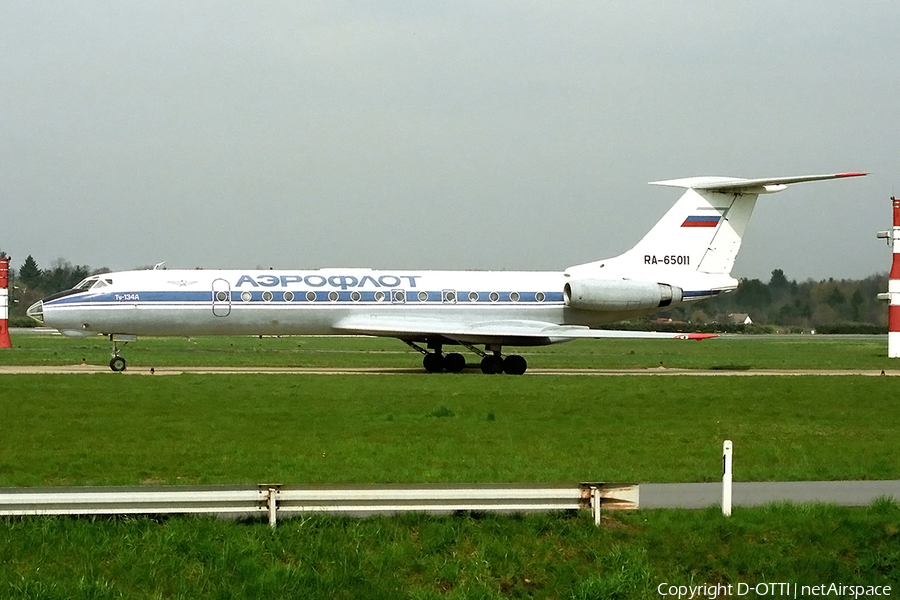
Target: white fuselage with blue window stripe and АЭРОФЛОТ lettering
210 302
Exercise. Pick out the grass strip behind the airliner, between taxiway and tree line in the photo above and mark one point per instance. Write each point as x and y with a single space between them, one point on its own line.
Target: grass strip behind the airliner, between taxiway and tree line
758 352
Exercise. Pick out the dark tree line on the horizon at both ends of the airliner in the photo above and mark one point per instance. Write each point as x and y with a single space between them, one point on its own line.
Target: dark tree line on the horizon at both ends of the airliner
840 306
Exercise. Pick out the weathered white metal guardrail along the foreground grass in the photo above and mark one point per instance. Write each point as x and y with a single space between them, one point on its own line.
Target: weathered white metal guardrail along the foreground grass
277 500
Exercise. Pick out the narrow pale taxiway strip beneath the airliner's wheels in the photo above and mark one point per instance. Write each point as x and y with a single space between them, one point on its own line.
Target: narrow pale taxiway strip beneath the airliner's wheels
82 369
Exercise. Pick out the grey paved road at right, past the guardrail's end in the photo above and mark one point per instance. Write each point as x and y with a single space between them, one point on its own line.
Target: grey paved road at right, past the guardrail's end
701 495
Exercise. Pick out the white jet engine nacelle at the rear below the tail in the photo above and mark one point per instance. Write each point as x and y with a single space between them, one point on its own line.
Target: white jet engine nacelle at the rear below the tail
620 295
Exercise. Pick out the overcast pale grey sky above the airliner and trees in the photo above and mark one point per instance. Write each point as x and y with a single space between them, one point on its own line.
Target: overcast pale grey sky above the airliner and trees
439 135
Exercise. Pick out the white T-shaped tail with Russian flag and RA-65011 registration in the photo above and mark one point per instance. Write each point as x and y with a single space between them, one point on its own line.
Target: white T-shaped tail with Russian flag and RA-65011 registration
702 232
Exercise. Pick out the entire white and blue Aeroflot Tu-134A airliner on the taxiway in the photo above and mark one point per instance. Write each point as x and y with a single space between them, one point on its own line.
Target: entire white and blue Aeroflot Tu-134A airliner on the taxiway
687 256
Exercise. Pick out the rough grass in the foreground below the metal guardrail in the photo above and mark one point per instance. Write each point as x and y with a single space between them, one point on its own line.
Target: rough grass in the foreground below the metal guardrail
540 556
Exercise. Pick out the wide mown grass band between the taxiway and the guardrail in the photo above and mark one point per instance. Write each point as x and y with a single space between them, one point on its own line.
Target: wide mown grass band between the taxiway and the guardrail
202 429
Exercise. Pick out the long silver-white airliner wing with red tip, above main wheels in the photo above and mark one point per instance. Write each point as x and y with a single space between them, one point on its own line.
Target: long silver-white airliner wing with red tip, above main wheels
499 332
